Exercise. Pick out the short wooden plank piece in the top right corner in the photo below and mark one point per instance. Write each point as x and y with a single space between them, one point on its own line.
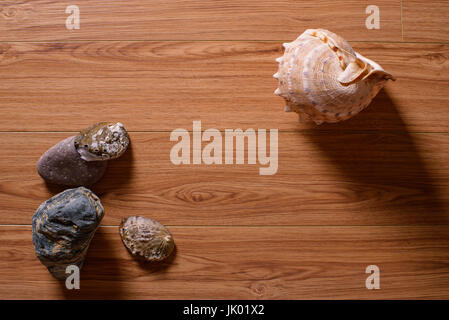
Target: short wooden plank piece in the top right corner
426 21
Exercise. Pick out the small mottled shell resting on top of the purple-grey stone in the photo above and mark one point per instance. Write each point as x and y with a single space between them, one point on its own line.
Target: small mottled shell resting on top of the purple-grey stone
102 141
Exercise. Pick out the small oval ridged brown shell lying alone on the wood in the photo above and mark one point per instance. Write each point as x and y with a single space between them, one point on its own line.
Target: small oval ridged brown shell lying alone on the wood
146 238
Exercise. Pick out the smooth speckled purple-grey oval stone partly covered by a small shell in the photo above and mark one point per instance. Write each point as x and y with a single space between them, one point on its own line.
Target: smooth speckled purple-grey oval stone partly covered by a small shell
63 165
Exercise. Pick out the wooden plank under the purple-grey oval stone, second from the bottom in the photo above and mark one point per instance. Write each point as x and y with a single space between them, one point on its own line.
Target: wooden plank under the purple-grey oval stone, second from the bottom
328 179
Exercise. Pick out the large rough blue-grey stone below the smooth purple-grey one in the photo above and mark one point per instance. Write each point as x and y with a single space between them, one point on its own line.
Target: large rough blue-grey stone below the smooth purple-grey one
63 228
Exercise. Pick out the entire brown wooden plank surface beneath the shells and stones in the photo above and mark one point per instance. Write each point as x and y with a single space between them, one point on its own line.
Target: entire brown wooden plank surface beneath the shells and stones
373 190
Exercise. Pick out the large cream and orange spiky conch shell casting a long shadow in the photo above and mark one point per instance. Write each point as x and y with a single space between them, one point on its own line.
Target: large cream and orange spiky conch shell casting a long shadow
324 80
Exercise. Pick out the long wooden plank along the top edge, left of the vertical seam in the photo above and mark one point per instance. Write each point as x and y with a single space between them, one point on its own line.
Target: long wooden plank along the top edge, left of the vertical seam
194 20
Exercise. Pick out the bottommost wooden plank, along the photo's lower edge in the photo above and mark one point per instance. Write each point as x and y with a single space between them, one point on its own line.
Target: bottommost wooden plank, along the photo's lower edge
244 263
